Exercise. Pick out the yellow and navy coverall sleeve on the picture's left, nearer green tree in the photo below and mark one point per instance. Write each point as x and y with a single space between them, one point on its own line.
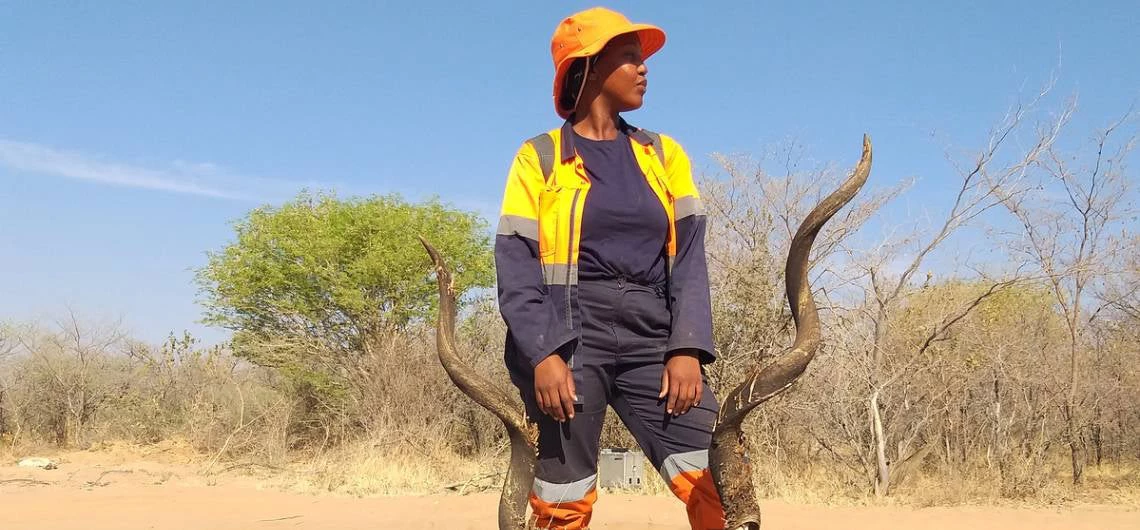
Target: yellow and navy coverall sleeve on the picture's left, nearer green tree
534 324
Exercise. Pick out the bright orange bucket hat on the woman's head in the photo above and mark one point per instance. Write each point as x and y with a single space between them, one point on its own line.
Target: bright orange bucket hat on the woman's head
585 34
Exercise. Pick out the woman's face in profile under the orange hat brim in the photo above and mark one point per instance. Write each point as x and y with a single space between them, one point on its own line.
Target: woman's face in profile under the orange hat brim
622 71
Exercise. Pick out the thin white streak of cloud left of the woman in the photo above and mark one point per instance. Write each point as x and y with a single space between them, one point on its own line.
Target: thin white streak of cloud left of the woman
180 177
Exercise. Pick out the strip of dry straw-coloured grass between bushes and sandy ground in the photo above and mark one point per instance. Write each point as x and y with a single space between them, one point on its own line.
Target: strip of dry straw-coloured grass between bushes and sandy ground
384 468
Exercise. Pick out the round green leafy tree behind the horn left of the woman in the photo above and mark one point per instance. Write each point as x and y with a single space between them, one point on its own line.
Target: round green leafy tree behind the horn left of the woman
315 287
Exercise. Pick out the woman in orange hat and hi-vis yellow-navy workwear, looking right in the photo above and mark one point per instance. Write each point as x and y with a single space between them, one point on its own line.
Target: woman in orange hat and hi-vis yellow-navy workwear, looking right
602 281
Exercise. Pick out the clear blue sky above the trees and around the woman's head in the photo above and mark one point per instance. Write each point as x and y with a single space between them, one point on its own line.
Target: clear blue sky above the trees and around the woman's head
133 134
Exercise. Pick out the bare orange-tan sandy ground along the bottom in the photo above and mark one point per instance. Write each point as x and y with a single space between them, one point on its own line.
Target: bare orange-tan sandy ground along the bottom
157 495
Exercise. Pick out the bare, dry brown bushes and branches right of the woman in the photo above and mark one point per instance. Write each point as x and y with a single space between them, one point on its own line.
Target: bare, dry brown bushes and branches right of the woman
952 388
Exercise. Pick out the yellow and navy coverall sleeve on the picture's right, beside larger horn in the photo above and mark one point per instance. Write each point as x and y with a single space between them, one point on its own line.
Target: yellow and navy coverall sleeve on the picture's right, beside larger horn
689 282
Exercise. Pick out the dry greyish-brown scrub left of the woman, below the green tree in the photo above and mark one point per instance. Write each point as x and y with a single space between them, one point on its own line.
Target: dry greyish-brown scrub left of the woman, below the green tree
77 386
